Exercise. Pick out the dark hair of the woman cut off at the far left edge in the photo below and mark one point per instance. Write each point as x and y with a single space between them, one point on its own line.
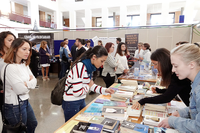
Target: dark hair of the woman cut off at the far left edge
3 35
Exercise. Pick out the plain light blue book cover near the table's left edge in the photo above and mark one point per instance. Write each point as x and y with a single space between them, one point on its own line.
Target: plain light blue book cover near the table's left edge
94 108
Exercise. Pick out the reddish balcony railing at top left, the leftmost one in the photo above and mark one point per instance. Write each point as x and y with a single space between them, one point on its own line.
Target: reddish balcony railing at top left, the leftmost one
19 18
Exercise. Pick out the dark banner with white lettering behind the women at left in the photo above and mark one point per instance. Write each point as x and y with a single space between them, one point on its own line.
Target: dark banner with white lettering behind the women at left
38 37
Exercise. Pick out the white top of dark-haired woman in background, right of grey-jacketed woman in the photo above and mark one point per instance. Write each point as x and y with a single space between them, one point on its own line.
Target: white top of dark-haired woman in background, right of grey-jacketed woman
122 63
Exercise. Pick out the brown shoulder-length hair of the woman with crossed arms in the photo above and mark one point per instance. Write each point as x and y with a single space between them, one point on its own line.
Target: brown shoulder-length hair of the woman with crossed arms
16 44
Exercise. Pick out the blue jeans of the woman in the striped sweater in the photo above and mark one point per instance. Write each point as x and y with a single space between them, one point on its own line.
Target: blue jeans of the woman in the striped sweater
72 107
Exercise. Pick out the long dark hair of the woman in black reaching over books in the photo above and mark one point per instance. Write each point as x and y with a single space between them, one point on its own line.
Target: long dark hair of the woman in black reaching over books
162 55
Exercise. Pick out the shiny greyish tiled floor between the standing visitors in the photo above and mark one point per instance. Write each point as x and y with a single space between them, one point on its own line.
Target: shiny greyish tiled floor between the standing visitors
50 117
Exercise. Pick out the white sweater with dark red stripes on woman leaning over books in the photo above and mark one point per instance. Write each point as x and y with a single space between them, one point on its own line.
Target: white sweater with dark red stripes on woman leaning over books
79 79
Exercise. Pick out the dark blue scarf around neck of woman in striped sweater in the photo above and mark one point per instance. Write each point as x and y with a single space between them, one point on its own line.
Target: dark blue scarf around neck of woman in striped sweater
90 68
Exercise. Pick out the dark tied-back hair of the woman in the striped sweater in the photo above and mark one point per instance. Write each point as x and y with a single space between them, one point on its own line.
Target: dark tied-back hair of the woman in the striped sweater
98 50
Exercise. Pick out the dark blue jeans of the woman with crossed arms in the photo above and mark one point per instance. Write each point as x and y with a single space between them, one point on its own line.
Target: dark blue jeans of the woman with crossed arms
28 116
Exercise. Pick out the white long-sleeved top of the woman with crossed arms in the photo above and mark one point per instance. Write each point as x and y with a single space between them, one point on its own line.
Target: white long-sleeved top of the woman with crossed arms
16 75
